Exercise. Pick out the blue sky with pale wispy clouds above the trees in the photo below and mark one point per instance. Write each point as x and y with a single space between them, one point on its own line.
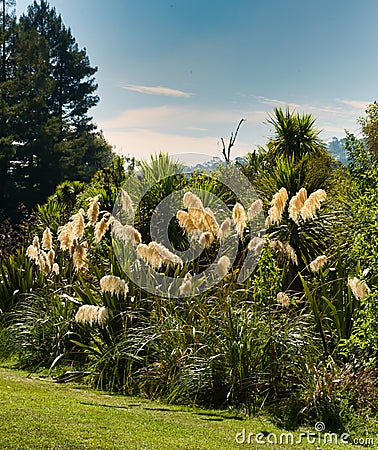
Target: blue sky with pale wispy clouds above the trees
177 75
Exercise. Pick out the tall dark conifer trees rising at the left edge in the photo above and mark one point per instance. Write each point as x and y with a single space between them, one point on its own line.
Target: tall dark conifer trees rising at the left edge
47 89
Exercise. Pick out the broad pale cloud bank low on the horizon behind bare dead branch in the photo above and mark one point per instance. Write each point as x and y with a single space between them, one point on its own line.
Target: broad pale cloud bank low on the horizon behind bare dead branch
142 131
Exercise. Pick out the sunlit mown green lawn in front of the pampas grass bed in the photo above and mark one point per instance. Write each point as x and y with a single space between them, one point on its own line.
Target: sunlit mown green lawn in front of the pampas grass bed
39 414
